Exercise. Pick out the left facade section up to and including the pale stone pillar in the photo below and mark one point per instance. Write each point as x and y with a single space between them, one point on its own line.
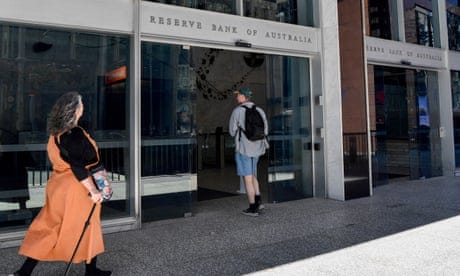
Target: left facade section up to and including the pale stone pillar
157 80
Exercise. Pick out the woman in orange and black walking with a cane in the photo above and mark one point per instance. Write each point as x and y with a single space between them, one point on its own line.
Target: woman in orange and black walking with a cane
70 194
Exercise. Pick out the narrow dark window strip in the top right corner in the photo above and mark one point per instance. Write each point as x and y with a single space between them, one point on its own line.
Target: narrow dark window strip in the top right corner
453 24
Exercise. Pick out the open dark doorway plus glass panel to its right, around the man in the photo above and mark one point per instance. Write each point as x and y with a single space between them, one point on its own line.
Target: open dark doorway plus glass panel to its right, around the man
280 85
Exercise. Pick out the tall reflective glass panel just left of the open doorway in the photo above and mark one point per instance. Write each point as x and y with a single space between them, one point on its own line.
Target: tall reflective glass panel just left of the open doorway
168 131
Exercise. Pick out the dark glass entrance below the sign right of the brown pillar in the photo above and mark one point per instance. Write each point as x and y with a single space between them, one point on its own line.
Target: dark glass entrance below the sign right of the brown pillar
404 124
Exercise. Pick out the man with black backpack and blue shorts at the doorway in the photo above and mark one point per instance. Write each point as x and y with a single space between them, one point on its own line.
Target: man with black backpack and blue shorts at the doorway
248 148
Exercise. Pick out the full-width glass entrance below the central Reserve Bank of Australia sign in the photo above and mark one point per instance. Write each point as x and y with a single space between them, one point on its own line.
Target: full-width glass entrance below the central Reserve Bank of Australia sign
187 154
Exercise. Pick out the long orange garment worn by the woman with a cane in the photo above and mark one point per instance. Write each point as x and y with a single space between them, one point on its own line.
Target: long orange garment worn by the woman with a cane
55 231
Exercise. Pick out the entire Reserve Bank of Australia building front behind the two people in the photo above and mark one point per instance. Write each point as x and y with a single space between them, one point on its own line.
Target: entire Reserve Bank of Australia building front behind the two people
157 79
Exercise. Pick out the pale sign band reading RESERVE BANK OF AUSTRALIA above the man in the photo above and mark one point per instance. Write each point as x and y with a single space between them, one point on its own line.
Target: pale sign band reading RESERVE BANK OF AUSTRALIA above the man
194 25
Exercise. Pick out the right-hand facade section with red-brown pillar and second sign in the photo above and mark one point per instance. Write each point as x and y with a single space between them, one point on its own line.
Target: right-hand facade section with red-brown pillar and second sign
400 87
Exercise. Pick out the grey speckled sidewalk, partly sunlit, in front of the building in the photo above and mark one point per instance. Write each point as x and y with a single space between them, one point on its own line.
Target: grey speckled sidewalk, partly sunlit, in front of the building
406 228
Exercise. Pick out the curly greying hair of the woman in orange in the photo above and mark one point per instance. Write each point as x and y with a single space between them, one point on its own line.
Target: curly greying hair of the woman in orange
62 116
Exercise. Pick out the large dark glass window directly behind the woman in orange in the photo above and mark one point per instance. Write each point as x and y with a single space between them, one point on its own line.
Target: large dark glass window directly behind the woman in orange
38 65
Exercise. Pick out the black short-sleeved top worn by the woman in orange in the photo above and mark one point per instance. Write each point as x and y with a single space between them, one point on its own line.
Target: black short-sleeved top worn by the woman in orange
78 151
